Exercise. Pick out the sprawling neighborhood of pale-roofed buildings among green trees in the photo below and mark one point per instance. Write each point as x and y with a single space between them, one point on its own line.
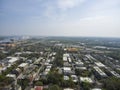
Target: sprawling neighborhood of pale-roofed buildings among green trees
56 65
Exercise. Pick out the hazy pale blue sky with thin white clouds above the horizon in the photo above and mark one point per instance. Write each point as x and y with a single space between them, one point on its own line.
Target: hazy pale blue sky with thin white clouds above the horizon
95 18
